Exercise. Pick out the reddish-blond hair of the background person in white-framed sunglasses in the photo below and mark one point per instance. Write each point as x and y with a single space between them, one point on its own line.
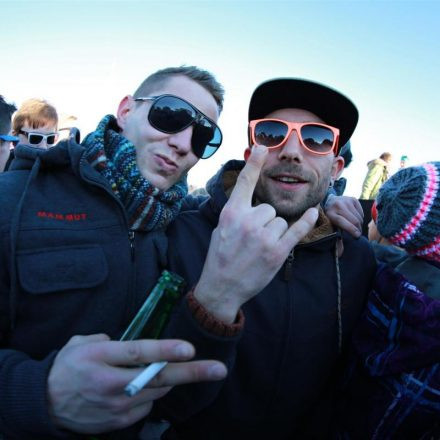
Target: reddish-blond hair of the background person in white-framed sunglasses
35 113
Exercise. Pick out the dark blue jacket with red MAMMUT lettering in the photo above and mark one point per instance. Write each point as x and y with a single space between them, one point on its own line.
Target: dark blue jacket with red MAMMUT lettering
68 265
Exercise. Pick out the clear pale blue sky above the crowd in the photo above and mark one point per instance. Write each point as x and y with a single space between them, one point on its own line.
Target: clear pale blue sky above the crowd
85 56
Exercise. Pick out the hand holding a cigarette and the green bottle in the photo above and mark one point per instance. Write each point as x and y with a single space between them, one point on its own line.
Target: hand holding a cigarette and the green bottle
87 380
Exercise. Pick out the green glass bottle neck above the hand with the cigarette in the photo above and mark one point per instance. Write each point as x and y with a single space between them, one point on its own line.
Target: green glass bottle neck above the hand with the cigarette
152 317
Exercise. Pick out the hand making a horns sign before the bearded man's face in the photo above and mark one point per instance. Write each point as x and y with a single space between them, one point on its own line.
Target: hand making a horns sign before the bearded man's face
248 247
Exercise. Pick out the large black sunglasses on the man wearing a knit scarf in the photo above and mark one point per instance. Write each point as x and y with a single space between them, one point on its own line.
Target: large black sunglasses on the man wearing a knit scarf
171 114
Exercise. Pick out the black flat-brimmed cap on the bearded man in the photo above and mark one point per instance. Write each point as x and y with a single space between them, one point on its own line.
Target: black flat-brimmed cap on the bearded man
332 107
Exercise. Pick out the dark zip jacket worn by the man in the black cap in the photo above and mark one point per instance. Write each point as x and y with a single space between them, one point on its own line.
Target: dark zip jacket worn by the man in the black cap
282 366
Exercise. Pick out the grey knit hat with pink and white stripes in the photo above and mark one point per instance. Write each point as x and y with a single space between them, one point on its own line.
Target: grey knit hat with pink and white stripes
408 206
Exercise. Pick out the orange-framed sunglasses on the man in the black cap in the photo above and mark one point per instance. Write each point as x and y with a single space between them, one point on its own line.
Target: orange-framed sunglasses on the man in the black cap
316 138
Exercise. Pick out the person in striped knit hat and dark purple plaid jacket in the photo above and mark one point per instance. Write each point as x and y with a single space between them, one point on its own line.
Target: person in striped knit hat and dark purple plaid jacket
393 390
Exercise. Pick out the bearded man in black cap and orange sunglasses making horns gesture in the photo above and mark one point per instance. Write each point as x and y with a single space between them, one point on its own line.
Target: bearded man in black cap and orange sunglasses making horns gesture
280 291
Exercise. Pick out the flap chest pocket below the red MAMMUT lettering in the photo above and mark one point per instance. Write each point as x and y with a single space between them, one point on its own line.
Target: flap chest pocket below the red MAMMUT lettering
62 268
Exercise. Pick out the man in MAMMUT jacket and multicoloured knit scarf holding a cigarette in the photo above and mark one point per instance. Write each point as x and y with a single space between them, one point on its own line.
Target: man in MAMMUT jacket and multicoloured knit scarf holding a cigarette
82 245
